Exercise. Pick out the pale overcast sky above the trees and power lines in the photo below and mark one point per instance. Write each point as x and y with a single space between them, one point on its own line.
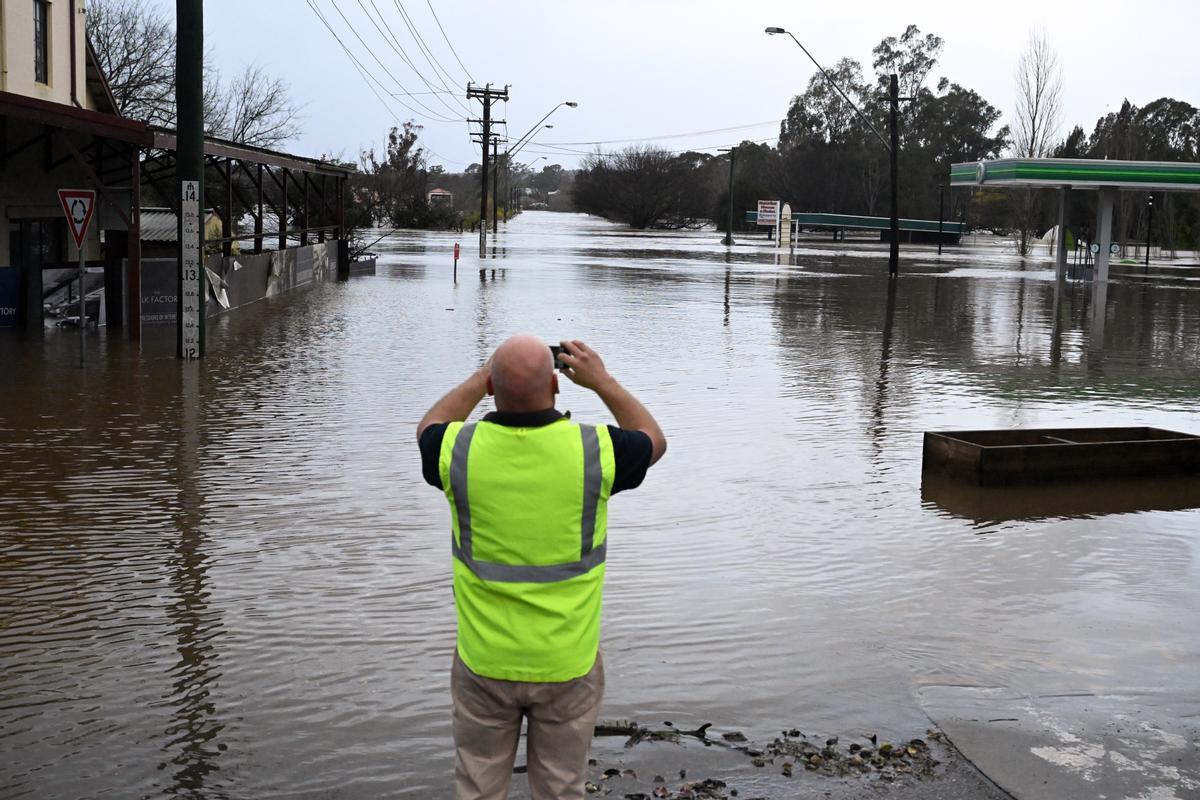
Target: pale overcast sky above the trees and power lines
661 68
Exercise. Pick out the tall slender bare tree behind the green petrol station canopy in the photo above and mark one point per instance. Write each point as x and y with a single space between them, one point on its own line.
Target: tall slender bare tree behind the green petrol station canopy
1036 122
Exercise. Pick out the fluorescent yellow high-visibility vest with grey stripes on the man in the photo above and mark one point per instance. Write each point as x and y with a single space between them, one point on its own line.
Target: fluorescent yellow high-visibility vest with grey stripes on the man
530 510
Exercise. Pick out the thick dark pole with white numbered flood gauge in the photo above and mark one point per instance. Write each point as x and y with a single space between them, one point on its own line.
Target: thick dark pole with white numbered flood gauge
190 159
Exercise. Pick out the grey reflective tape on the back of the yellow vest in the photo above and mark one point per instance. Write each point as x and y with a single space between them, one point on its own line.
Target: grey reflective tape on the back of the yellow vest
590 557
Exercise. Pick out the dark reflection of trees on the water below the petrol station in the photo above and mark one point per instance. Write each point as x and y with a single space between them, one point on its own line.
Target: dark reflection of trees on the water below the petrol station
827 327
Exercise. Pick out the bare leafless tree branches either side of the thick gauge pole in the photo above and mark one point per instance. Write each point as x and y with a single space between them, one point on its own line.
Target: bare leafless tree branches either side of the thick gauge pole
135 44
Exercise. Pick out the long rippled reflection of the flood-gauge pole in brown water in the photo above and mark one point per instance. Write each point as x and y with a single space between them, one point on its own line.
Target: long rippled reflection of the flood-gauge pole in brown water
195 726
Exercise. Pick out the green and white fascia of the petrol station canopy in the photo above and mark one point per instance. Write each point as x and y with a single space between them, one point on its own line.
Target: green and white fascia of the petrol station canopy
1079 173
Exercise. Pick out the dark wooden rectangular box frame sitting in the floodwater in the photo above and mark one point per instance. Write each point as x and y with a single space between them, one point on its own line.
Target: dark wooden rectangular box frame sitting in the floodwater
1049 455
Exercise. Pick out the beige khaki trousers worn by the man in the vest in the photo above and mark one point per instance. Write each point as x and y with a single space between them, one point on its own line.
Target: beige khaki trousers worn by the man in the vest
561 719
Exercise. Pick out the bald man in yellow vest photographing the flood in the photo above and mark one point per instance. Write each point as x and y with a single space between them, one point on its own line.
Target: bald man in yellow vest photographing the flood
529 491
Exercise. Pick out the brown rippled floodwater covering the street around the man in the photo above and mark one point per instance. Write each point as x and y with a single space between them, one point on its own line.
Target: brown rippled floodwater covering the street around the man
227 580
